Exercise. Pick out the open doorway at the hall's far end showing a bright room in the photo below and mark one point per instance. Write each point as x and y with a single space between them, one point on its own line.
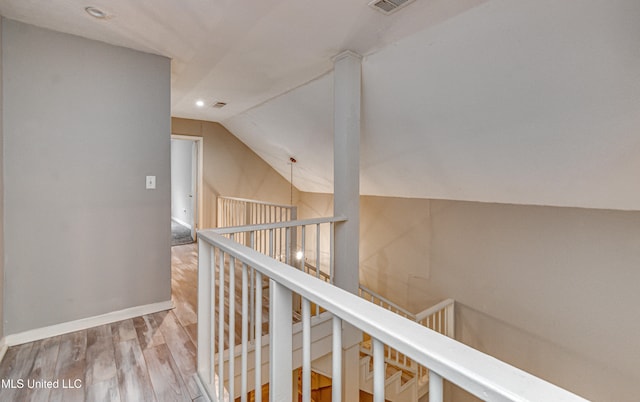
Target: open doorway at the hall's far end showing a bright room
186 188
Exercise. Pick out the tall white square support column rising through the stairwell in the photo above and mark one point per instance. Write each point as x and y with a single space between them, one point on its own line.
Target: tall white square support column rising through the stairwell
346 188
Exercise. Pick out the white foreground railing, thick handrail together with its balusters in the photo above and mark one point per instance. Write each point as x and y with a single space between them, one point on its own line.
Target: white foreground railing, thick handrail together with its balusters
445 358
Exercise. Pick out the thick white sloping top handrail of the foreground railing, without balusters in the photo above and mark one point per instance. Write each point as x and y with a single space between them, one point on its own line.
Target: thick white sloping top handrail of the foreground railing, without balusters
476 372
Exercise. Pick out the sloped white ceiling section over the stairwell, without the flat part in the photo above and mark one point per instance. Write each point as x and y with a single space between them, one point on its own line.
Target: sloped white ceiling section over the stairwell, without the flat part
513 102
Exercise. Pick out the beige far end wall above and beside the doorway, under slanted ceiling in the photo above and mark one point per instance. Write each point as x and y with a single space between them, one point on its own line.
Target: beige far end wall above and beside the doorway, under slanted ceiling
231 169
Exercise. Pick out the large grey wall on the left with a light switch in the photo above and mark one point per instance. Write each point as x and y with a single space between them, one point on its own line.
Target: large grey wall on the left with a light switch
84 124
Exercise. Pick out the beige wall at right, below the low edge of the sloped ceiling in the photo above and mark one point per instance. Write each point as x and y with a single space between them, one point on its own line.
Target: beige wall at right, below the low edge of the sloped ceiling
550 290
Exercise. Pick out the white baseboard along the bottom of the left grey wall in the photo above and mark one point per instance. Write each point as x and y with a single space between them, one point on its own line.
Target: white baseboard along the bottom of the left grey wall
84 323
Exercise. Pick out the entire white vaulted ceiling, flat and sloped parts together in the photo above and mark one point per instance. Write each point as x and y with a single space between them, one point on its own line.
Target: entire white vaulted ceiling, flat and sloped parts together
528 102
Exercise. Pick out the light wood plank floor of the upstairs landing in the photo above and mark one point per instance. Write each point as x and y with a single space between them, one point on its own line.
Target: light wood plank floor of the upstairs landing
148 358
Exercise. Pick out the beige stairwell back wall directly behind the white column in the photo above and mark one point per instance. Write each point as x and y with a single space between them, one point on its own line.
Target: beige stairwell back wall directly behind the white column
394 245
